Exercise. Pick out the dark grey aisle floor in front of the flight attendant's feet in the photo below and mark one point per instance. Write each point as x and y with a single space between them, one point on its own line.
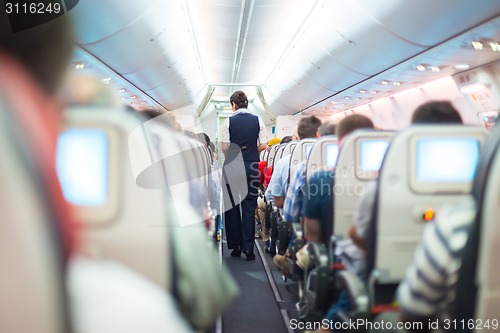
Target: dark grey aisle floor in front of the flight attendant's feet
256 309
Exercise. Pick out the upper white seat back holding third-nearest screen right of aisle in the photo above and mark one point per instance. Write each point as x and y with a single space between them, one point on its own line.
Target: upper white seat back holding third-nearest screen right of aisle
323 155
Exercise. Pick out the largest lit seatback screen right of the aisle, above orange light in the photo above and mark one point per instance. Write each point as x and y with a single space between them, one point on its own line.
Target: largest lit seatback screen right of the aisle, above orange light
448 160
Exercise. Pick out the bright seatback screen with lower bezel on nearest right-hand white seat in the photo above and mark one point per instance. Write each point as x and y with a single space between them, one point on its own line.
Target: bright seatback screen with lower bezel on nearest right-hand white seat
444 164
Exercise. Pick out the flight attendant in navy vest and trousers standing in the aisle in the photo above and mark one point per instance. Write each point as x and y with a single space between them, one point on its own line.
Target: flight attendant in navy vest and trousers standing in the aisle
246 133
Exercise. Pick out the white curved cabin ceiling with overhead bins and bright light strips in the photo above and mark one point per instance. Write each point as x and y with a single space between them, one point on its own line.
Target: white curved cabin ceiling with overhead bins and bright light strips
288 55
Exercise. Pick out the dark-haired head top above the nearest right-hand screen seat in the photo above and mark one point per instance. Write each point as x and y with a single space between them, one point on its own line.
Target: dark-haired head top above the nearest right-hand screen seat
437 112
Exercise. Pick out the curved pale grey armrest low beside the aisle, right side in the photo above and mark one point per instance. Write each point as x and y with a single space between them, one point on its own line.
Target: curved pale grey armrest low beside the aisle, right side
356 290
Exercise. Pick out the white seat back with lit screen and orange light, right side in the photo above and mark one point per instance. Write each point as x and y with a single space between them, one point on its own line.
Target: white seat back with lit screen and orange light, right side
425 168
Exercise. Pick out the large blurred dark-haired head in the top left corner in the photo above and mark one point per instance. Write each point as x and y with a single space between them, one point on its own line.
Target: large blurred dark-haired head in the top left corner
44 50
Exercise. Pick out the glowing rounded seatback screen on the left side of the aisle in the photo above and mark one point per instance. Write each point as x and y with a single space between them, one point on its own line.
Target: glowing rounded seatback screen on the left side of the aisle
82 166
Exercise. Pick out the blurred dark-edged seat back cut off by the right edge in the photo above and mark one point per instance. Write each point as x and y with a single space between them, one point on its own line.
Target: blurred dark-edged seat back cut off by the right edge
478 286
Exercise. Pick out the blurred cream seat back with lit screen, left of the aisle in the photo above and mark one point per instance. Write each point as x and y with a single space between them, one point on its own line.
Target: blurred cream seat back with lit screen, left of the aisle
103 155
